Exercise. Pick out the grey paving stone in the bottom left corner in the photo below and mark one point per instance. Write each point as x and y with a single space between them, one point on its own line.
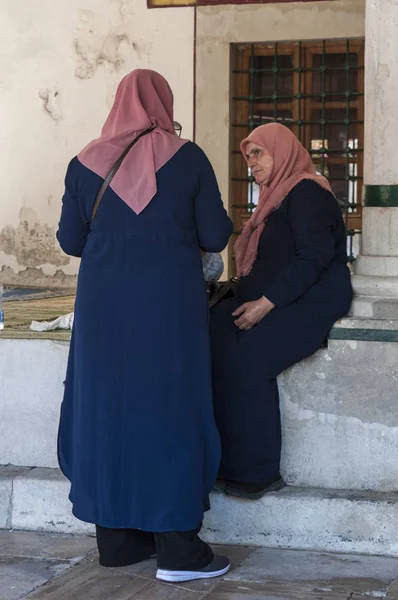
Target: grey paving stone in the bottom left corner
19 576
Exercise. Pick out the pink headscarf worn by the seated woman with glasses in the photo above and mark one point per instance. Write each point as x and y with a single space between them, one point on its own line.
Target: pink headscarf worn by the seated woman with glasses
292 164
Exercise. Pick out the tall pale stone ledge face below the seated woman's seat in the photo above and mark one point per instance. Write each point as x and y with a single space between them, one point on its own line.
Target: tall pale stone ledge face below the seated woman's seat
339 430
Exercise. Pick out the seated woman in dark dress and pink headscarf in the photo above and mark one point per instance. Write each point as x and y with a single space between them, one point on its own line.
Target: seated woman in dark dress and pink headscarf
294 286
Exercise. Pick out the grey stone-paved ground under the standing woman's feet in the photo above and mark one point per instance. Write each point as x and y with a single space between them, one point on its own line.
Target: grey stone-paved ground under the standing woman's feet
55 567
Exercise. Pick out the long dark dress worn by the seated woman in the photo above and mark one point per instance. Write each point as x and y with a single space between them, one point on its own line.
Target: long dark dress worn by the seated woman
302 268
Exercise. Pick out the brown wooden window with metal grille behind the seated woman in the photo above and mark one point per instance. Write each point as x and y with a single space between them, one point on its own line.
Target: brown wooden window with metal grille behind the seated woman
317 90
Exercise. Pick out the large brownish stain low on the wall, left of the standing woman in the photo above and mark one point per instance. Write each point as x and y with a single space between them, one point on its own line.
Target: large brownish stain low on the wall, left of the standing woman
32 243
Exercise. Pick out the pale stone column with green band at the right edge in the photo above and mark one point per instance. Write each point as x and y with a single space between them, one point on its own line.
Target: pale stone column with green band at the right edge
376 278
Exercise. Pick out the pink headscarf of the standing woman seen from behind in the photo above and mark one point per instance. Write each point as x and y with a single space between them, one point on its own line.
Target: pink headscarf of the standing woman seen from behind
143 100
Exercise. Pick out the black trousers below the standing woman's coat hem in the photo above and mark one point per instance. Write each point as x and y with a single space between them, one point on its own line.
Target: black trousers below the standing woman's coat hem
175 550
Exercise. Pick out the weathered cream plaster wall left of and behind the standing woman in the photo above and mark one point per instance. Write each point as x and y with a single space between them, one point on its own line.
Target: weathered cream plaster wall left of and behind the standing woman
60 64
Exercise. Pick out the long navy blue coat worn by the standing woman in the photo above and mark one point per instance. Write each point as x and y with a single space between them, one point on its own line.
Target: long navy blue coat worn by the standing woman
137 437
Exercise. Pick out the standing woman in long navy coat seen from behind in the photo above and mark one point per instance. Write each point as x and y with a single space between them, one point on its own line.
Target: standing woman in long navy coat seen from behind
137 437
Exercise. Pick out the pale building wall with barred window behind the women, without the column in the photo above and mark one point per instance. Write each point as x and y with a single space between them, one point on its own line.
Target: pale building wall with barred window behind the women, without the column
231 67
